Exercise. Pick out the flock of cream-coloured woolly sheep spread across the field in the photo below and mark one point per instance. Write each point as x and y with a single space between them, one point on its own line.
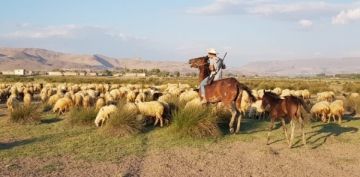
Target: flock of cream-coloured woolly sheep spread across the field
148 100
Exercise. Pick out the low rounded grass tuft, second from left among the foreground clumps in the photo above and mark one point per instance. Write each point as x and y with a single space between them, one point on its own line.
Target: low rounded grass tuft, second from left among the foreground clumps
82 116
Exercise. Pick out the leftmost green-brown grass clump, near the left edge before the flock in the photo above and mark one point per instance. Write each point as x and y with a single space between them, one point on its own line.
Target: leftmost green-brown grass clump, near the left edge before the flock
25 114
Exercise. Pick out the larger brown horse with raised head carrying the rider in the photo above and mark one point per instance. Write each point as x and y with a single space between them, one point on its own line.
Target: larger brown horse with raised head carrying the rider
228 91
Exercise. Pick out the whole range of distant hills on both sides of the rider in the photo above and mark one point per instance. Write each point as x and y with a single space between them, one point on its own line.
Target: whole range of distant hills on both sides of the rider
46 60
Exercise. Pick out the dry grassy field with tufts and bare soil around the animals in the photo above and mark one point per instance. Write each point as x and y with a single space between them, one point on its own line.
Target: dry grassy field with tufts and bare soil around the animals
129 144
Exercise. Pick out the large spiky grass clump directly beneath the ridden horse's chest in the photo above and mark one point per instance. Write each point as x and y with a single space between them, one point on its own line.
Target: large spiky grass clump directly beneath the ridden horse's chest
197 123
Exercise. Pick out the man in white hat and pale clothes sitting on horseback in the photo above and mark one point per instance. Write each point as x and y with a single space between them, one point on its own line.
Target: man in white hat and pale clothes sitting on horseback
216 66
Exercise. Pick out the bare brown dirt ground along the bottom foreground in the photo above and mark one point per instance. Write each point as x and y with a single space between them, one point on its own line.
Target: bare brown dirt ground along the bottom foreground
225 158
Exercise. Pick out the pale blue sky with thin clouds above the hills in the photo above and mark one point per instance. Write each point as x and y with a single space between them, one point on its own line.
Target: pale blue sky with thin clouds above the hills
249 30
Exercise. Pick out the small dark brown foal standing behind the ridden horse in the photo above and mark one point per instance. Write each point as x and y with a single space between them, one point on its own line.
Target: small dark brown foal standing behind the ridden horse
289 108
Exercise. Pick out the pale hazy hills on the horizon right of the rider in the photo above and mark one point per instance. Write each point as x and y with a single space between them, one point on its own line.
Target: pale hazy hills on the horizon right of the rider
302 67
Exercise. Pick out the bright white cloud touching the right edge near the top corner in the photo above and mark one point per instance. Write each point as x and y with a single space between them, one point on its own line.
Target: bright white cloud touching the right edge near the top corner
346 16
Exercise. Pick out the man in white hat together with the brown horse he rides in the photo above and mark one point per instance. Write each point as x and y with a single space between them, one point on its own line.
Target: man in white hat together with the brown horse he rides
228 91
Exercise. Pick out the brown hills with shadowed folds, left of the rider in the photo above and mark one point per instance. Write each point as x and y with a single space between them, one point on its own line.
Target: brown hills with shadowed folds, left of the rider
45 60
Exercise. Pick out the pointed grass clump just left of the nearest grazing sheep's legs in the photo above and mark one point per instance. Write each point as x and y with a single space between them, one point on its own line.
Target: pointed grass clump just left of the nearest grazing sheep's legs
123 123
